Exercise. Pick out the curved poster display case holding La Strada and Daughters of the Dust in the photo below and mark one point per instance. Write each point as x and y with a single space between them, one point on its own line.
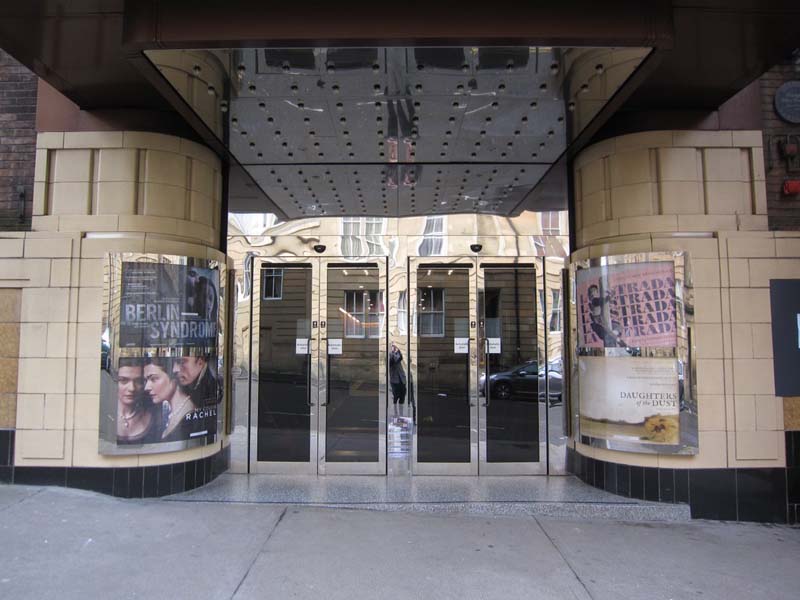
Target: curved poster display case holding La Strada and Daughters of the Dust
633 375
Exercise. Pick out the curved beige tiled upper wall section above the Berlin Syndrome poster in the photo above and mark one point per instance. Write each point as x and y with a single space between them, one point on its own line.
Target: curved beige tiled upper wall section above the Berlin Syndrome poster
127 181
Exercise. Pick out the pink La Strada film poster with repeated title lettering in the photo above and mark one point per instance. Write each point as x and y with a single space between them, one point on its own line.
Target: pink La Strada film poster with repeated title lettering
627 305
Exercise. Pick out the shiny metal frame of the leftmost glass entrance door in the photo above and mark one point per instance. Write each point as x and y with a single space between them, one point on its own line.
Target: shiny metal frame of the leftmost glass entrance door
284 467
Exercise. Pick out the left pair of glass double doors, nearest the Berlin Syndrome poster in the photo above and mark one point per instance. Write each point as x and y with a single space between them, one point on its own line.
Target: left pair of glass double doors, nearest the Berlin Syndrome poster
318 372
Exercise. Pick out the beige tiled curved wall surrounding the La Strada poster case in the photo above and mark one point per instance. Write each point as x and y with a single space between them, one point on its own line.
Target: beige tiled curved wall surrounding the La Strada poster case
702 192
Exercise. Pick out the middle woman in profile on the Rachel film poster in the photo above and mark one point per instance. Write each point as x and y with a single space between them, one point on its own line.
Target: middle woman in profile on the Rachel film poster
162 386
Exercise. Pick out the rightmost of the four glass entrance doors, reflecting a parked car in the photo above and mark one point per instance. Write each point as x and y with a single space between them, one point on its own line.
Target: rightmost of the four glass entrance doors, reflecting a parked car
512 386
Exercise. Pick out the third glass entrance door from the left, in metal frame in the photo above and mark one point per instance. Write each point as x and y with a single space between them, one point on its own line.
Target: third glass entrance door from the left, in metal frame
443 366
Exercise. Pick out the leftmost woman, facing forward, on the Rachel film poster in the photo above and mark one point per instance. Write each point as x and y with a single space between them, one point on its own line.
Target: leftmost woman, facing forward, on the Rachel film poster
138 421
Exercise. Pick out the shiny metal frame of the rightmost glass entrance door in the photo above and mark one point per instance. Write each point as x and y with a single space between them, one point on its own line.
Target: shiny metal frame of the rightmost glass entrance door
507 468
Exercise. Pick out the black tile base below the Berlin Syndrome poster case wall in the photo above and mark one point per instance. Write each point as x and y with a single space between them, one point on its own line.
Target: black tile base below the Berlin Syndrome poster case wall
124 482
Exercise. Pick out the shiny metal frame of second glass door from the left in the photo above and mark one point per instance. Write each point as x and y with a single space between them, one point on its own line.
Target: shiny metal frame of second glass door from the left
351 468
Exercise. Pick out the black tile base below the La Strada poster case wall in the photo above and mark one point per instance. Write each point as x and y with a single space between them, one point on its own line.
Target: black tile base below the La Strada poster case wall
757 495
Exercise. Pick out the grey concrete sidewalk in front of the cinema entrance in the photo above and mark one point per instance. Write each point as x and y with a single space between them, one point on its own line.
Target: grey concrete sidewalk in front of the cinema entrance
60 543
